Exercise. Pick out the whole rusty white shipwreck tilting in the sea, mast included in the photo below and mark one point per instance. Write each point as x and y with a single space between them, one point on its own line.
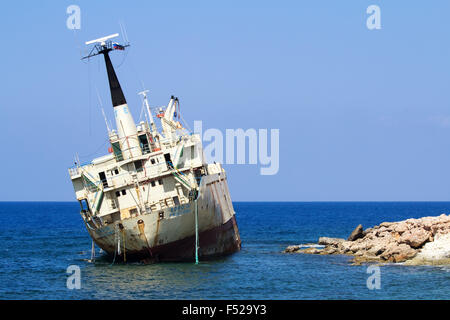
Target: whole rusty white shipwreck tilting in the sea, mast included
153 197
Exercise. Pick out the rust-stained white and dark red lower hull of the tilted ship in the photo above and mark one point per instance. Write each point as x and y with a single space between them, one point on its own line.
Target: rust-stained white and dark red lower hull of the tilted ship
170 234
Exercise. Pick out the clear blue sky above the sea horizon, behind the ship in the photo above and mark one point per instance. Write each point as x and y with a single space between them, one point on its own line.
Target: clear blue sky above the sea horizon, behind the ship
363 115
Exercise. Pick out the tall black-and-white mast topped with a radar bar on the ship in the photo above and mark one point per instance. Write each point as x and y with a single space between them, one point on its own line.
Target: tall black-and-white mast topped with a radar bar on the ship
125 124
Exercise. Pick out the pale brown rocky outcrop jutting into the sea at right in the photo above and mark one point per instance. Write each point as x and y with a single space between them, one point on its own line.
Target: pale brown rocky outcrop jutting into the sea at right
414 241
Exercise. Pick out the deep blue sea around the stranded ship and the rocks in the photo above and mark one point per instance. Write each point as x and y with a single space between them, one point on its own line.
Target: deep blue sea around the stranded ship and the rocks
40 240
